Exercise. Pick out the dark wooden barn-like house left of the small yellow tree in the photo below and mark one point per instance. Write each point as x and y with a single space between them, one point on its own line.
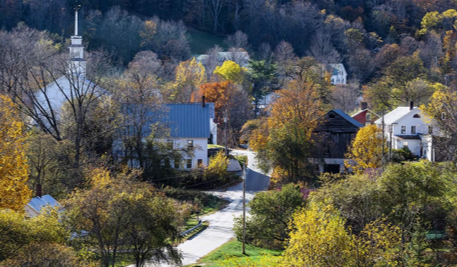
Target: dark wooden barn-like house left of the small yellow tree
333 137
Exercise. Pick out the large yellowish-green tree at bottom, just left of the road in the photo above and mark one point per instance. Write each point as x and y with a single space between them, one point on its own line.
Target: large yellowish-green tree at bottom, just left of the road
122 213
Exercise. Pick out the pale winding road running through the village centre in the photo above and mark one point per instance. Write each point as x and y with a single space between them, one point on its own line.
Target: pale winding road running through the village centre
221 223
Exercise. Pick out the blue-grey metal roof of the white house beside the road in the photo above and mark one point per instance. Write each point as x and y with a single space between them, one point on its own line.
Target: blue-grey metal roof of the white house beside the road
190 120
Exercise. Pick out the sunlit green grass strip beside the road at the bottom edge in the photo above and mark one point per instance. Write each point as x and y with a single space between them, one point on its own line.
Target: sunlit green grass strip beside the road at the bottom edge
233 248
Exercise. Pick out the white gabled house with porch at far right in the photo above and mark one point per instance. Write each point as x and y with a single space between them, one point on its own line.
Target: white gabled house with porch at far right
409 127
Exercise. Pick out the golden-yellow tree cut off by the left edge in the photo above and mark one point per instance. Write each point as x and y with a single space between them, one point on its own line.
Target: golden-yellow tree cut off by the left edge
14 171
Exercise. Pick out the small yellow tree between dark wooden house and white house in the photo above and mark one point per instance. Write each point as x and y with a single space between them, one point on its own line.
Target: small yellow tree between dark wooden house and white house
366 149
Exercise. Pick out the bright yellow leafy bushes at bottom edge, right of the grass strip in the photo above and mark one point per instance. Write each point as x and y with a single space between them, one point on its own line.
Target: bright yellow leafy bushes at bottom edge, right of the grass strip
319 238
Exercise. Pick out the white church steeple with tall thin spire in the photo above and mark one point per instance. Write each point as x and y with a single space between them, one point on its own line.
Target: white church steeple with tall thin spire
77 62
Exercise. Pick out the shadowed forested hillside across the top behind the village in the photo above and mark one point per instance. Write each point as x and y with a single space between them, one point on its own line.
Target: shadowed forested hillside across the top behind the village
367 36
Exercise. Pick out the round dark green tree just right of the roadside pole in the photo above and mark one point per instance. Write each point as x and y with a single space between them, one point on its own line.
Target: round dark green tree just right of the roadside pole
270 214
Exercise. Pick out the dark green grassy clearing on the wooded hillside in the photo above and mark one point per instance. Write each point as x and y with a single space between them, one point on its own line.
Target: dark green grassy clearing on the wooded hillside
200 41
